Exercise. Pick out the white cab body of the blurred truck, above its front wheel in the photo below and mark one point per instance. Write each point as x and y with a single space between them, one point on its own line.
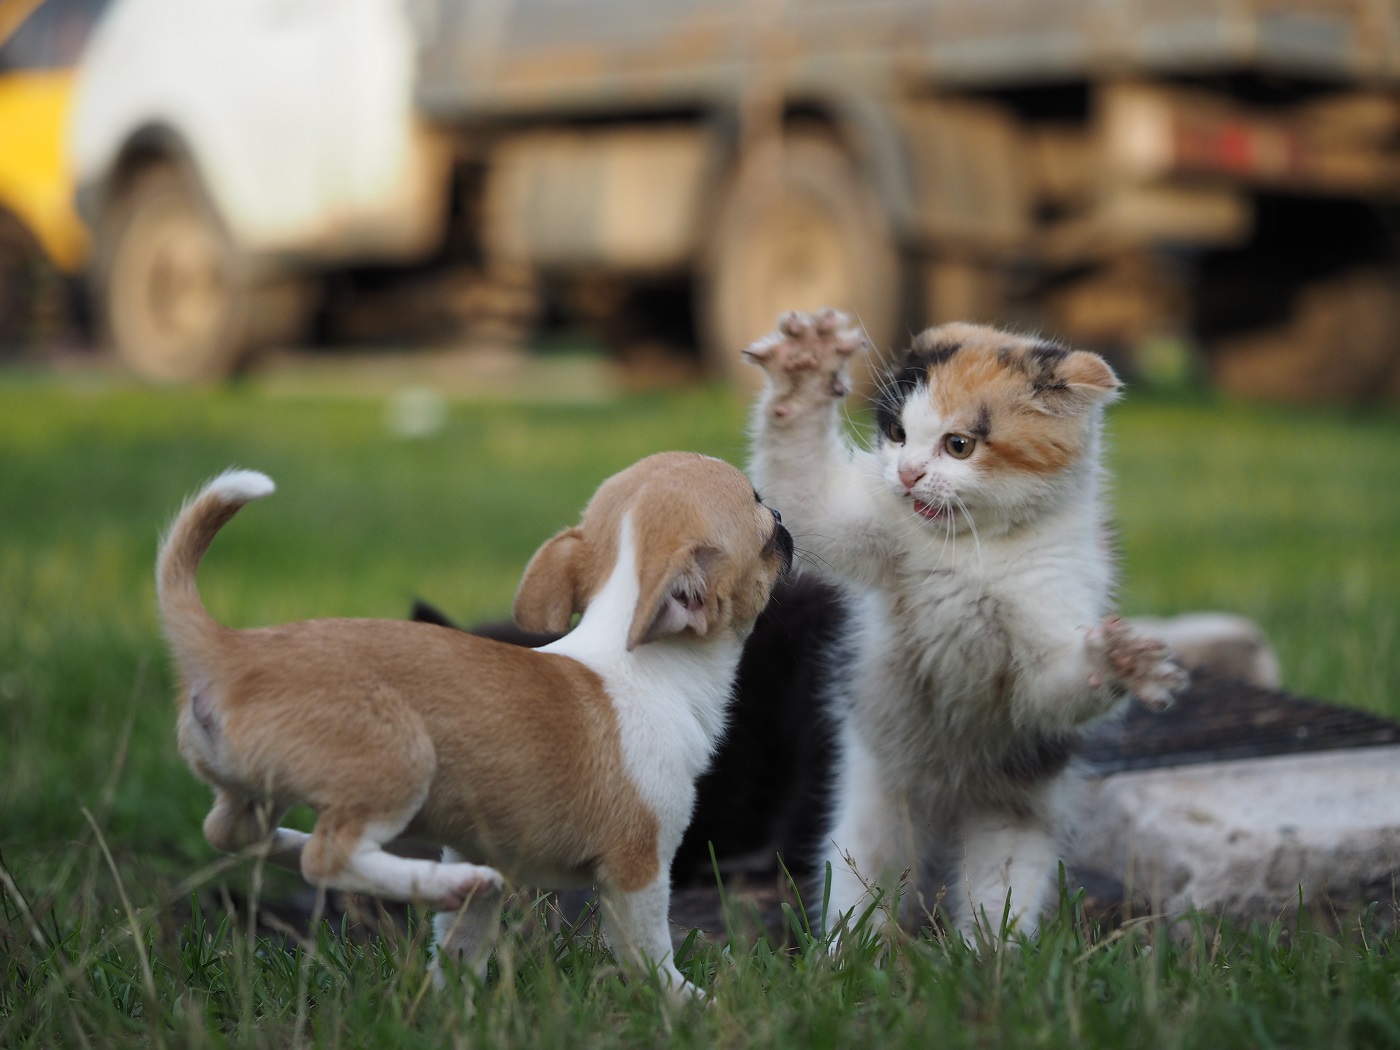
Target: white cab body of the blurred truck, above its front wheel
297 114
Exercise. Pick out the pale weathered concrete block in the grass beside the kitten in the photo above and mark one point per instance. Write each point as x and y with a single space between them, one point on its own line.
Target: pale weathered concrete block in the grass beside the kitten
1240 838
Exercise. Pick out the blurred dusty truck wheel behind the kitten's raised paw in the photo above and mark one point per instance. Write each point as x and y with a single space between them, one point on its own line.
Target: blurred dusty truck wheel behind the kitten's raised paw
794 230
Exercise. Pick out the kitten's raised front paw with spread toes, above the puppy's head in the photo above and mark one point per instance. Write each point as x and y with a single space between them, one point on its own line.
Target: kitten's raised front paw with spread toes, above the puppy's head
807 359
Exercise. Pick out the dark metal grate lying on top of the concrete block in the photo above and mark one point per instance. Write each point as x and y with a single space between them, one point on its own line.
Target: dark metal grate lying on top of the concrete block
1221 719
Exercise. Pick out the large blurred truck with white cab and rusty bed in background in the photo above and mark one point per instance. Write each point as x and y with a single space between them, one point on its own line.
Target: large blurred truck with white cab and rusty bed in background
1105 170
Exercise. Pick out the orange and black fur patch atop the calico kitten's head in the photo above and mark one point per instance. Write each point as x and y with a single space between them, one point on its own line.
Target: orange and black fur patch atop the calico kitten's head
1030 405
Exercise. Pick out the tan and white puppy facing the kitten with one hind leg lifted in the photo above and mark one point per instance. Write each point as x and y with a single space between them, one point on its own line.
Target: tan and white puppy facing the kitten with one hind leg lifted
566 766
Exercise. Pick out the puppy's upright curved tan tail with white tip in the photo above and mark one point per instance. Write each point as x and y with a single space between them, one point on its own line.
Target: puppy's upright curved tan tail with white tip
188 625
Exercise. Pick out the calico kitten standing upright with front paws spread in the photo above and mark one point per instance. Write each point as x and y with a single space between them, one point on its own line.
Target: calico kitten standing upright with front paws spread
972 542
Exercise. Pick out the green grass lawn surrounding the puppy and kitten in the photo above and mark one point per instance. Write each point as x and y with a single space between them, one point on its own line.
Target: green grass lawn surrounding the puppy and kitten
114 919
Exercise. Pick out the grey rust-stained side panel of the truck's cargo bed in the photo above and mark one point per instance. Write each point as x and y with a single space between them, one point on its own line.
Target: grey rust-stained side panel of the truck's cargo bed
521 57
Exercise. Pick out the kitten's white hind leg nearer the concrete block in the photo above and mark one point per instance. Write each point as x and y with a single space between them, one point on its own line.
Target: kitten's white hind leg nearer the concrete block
1004 856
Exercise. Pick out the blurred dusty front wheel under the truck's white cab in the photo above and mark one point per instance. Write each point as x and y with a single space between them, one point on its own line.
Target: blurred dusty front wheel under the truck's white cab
177 302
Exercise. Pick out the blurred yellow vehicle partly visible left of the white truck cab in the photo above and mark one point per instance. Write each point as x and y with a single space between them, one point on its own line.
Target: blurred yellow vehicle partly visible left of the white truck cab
44 246
